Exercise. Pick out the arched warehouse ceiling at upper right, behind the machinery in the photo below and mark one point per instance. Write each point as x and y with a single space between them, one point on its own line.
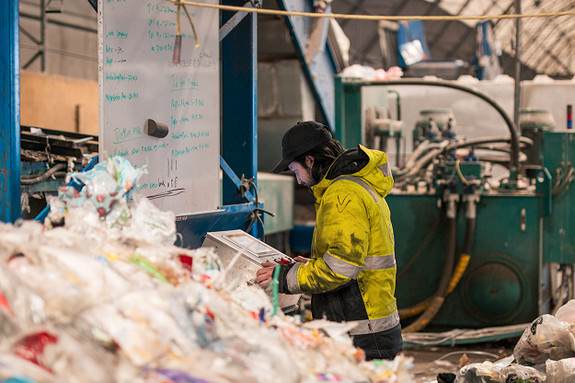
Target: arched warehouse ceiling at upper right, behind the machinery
546 43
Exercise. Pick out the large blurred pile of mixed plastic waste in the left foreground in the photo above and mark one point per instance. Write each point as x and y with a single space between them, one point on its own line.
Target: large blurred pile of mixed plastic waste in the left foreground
99 293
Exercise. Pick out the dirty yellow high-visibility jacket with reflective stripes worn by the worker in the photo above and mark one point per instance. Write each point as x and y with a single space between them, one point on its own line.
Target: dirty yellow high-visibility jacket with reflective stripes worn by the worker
352 270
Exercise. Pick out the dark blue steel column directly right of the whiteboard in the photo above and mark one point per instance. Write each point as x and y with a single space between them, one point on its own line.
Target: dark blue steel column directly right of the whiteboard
239 108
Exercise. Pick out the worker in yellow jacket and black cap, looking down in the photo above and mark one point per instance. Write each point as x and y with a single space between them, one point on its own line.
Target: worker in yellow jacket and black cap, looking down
352 270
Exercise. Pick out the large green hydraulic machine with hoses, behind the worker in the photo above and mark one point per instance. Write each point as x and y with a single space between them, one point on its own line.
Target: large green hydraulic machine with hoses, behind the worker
475 248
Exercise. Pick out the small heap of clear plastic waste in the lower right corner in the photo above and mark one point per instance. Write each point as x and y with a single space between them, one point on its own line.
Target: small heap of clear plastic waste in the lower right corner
544 353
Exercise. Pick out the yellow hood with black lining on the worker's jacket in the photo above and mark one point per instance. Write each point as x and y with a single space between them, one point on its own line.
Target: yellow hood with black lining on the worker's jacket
370 165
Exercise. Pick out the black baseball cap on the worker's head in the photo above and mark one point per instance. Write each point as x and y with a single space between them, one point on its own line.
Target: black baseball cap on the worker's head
301 138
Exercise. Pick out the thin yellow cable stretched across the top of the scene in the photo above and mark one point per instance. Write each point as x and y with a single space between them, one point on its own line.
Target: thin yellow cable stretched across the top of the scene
372 17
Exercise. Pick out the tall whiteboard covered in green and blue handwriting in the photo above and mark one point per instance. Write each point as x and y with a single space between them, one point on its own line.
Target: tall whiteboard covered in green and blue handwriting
138 82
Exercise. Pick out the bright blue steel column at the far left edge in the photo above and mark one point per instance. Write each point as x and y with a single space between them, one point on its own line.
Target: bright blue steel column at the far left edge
9 112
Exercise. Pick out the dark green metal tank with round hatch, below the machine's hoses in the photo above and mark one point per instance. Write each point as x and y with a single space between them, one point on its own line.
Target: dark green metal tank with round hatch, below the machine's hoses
501 284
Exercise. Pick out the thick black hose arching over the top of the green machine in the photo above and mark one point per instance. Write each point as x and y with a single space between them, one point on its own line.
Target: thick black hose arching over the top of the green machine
514 162
